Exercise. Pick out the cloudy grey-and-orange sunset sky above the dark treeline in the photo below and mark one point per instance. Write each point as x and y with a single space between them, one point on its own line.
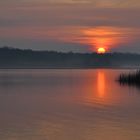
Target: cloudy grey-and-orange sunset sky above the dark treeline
71 25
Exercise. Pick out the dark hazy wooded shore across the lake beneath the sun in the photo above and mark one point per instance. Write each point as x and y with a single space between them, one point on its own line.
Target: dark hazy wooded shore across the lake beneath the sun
13 58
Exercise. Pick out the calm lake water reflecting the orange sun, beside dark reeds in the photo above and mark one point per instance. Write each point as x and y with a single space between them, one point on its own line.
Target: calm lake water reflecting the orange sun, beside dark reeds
67 105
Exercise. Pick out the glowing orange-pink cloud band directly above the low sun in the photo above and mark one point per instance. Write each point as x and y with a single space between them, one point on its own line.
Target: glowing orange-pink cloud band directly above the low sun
95 37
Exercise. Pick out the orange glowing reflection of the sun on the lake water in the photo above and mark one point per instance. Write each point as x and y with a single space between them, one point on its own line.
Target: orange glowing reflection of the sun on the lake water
100 88
